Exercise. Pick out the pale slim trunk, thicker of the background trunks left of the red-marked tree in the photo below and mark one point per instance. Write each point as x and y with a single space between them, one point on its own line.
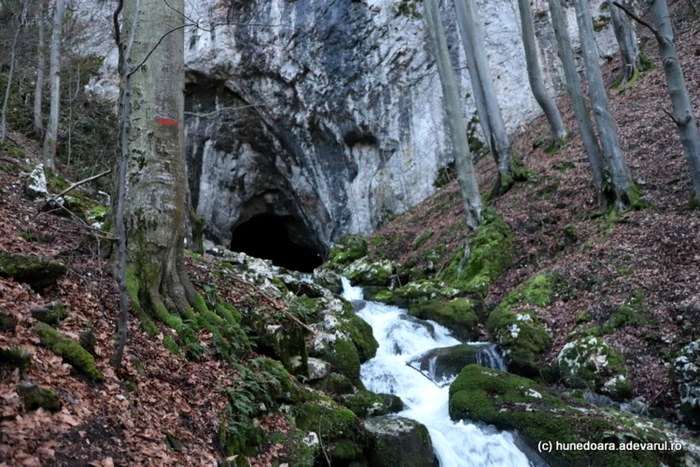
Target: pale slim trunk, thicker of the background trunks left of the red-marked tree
51 137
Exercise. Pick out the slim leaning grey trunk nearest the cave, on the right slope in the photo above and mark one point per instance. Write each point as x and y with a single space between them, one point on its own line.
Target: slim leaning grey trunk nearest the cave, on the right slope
466 175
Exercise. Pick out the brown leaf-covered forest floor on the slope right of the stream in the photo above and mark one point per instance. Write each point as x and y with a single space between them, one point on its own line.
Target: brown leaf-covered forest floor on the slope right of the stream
650 255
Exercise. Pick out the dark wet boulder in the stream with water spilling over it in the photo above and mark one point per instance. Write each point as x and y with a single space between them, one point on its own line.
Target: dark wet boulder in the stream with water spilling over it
444 363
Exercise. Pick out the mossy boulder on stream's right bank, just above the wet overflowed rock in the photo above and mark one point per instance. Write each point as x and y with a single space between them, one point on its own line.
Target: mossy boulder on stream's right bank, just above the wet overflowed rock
458 315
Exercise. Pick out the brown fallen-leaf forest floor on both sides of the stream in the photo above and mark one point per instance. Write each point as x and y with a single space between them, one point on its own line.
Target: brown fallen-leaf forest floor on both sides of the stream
652 252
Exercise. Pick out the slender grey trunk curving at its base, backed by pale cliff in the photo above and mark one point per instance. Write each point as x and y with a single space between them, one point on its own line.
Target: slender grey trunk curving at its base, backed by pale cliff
534 74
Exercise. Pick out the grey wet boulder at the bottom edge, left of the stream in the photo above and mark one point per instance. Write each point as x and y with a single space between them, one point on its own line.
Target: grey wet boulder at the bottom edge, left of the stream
397 441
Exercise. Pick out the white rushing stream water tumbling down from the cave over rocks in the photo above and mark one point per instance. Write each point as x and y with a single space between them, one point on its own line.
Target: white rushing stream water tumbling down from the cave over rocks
401 338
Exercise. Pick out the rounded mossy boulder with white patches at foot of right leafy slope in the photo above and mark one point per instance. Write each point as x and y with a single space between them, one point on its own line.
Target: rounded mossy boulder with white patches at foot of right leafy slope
590 363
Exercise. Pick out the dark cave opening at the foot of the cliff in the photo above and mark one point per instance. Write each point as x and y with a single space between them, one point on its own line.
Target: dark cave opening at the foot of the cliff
282 239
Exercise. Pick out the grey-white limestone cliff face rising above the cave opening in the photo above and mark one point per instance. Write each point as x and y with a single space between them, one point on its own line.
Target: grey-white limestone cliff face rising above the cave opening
328 113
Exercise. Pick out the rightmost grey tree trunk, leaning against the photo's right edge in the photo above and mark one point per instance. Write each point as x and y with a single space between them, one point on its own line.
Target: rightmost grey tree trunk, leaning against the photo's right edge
682 106
